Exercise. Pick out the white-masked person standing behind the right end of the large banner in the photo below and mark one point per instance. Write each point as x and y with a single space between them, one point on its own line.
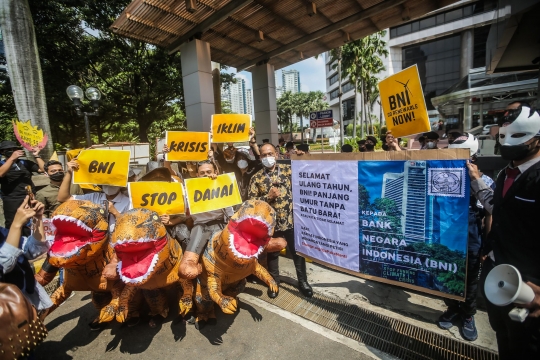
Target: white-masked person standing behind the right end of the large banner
463 312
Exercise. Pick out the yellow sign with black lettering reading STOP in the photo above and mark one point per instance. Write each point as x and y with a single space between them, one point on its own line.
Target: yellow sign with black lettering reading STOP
162 197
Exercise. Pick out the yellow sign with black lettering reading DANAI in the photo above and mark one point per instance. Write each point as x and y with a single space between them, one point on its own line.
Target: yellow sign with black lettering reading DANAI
205 194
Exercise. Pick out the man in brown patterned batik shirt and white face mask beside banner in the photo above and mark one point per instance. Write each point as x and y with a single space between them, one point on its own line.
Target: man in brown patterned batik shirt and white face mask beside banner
273 185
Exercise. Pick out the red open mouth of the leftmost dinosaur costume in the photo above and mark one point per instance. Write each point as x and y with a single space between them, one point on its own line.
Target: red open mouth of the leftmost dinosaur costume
72 235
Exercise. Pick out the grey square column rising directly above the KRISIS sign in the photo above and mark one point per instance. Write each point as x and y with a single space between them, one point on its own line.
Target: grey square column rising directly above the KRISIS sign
198 89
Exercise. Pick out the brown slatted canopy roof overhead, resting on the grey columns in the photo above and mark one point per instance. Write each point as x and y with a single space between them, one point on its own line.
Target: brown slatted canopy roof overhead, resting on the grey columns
244 33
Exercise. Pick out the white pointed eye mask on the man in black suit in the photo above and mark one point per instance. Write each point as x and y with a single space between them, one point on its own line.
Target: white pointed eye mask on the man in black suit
521 130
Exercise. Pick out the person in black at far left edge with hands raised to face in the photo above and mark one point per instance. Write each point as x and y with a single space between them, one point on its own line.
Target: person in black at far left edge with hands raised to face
15 176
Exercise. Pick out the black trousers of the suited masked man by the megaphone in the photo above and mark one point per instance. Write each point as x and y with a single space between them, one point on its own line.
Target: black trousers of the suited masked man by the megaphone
515 340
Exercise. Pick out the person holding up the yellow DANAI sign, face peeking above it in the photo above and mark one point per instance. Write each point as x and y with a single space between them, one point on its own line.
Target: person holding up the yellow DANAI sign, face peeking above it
204 226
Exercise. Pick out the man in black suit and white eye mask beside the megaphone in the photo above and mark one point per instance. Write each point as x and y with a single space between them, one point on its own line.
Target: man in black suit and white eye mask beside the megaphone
514 235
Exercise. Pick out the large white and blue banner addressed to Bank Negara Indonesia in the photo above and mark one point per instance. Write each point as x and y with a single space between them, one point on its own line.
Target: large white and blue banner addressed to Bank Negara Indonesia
402 222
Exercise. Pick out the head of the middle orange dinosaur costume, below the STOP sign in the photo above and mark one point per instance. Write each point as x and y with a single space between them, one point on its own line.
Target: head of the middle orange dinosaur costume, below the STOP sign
140 242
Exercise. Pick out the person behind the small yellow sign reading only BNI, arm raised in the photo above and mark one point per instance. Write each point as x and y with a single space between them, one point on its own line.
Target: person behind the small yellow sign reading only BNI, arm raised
117 202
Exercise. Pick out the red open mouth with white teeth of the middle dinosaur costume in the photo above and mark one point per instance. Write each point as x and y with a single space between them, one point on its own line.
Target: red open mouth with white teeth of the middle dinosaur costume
138 258
